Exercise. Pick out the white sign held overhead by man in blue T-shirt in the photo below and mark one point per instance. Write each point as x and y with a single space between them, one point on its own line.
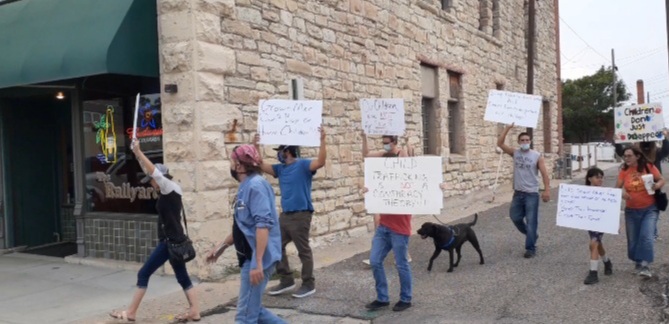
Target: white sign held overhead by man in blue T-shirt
290 122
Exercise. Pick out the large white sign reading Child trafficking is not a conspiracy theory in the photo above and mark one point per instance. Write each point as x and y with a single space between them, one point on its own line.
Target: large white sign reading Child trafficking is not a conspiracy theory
406 185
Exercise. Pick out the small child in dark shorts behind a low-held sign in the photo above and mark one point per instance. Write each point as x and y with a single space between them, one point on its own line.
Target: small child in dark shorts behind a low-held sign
595 177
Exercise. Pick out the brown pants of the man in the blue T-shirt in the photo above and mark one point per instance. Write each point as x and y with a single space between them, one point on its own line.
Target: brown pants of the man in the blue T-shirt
295 228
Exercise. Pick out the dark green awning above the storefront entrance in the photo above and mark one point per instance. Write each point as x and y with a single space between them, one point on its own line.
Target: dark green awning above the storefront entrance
48 40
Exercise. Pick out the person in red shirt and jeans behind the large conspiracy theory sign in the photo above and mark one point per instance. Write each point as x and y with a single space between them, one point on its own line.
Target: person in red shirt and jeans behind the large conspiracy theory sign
392 233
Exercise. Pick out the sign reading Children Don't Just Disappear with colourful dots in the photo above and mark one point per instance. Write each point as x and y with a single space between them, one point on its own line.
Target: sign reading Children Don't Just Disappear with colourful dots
639 123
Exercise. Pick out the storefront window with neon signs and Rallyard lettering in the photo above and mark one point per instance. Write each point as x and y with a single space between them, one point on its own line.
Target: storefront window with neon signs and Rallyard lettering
112 172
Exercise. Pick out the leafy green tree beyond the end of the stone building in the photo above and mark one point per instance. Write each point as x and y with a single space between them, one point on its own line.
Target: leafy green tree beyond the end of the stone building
586 106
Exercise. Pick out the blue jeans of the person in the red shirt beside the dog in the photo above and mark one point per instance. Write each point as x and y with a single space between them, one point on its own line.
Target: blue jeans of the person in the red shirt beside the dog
385 240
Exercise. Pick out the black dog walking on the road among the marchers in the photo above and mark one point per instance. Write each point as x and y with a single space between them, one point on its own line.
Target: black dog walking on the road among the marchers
449 238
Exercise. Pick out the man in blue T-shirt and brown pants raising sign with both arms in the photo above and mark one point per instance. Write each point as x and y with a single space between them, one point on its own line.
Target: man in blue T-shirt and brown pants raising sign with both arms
295 176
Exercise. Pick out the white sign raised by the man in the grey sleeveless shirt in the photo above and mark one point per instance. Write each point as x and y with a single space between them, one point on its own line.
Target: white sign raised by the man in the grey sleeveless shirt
512 107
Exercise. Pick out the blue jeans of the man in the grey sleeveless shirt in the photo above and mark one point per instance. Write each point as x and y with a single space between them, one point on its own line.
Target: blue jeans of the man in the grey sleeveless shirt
525 215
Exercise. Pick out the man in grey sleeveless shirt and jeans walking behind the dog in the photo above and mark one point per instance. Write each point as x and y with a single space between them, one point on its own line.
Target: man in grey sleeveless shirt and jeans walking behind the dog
524 210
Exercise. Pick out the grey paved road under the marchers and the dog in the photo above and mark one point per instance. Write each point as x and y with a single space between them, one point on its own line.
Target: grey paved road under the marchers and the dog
508 288
